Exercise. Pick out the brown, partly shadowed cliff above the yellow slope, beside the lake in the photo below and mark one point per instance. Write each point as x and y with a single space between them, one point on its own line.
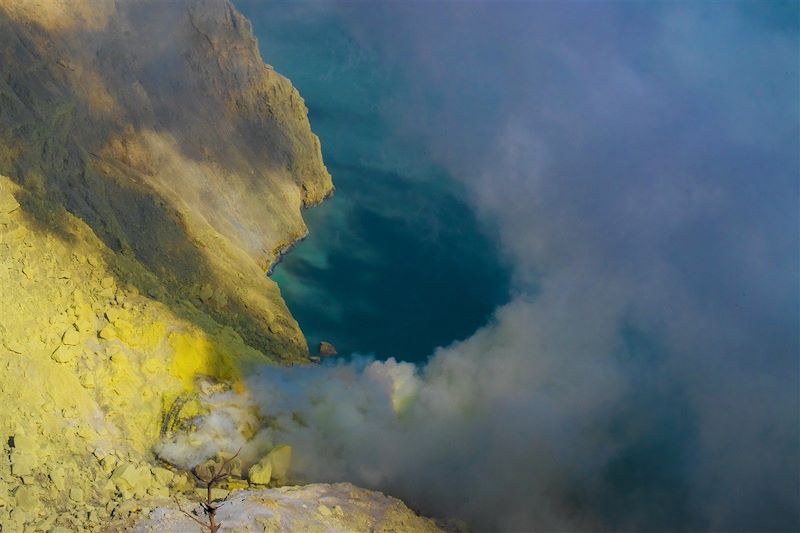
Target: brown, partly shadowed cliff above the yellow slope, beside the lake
159 125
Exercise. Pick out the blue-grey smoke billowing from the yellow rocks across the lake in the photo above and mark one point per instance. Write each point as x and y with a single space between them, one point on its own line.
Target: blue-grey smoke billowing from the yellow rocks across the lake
639 166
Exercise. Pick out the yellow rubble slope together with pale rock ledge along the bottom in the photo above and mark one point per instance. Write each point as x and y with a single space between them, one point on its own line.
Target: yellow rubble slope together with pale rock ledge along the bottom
97 373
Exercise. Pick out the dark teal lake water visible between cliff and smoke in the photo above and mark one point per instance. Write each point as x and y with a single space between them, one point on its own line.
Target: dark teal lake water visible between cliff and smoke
396 263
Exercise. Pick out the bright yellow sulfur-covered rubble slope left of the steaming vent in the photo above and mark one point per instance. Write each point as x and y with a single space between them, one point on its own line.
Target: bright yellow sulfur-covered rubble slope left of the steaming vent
90 367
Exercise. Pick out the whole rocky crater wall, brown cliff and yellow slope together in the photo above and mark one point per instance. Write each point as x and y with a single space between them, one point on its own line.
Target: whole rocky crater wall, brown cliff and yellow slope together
151 168
